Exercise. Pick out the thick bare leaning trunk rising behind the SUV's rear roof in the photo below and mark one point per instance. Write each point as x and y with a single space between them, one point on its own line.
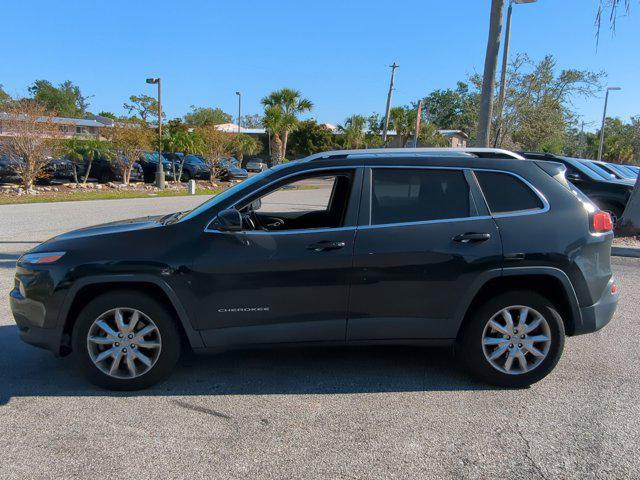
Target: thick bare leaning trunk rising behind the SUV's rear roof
489 75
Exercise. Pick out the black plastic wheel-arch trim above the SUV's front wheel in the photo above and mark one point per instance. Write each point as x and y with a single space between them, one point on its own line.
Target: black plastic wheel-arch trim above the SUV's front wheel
86 289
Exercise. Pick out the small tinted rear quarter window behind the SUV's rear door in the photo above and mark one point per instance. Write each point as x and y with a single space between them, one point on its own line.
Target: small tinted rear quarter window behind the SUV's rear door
506 193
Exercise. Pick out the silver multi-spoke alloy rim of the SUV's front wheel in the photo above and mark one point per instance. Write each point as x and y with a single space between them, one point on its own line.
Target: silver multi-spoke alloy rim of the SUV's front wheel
124 343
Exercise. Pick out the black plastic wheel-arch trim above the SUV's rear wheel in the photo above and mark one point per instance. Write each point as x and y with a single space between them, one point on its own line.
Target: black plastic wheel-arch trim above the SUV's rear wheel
550 282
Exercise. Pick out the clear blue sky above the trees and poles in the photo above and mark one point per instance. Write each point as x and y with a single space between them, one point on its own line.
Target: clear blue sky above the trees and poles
335 52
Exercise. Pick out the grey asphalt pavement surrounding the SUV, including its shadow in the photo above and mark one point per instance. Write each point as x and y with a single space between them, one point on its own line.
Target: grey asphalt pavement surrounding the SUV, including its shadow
332 413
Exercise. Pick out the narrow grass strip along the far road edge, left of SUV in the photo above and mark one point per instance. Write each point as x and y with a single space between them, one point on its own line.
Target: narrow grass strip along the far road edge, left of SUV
75 195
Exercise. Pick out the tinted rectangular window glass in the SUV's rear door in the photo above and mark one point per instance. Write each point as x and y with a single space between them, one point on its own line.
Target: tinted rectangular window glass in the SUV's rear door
415 195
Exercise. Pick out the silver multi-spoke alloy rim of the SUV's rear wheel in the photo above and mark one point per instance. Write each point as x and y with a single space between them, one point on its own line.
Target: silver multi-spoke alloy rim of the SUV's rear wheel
516 340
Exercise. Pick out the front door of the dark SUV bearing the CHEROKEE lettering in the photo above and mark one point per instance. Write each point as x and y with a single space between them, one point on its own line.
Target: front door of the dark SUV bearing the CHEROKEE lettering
286 276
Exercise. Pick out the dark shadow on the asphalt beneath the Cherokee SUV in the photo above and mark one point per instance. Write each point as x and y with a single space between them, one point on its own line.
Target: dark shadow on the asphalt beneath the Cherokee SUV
28 371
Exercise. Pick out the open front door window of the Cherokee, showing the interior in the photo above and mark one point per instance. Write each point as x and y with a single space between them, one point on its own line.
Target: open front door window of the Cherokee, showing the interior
308 202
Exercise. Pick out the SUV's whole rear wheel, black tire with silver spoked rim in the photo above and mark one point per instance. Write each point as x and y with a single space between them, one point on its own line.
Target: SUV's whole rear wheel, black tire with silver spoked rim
479 341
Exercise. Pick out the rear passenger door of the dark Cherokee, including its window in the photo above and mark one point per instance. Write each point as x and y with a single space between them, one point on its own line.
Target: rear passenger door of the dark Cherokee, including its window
423 240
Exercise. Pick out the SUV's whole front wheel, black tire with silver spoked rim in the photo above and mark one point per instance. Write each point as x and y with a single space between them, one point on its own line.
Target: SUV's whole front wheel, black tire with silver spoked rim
161 358
